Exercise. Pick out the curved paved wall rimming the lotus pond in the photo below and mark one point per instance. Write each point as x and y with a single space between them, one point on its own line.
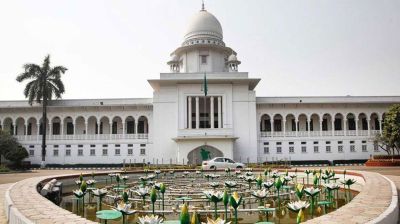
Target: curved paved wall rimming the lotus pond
377 202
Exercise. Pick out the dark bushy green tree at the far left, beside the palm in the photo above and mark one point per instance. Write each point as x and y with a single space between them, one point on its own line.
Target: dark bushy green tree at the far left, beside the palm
11 149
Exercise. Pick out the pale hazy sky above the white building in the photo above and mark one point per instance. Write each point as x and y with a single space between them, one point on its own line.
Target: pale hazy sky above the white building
297 47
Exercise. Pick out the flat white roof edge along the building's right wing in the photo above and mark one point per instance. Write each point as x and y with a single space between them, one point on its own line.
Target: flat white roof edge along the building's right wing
327 99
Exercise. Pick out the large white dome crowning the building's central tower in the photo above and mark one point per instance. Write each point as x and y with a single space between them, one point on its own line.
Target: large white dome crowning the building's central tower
204 24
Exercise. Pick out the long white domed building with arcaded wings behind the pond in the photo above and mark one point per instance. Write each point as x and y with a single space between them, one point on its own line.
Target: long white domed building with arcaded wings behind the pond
179 120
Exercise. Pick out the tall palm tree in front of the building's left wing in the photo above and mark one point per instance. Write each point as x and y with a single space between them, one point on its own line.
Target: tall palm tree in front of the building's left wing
44 82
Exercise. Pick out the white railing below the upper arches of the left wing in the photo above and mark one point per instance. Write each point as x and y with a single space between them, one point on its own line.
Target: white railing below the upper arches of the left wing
83 137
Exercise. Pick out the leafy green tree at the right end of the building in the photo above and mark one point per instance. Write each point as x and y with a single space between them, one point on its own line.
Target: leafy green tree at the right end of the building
389 141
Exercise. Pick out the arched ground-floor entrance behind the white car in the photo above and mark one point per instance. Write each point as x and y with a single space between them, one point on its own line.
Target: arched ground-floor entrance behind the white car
202 153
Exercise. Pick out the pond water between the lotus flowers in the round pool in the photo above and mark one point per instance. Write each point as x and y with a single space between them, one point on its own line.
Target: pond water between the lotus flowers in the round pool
192 185
